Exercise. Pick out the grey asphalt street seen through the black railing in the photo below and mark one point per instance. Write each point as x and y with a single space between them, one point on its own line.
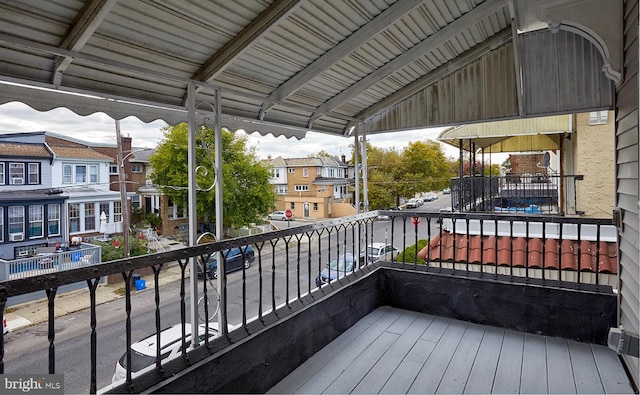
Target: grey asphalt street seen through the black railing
27 350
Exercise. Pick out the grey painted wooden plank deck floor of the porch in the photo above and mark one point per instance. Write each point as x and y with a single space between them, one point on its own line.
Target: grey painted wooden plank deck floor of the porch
398 351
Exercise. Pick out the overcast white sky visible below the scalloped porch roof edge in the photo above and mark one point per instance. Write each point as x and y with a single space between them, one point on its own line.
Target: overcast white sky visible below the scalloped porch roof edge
18 117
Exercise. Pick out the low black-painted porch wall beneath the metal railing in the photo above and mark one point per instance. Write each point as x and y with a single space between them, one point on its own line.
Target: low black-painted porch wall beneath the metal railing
254 360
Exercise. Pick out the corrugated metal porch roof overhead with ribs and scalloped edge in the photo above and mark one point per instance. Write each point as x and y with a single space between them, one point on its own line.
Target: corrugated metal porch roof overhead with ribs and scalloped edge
287 66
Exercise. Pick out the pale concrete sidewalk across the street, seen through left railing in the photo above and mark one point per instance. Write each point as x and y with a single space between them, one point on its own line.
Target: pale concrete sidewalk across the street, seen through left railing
35 312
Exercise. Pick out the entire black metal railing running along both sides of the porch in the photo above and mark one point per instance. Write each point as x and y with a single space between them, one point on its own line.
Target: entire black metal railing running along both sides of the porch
295 262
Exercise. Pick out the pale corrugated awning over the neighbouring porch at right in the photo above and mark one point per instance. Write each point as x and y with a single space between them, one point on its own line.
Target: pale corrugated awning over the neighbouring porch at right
517 135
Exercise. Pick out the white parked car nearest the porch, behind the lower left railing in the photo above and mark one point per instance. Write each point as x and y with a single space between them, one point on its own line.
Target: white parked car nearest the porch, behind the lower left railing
143 353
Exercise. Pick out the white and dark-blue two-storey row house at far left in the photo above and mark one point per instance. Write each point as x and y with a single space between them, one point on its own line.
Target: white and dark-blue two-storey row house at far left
55 189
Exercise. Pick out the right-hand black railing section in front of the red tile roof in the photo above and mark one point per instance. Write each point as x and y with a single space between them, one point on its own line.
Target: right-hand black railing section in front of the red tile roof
570 250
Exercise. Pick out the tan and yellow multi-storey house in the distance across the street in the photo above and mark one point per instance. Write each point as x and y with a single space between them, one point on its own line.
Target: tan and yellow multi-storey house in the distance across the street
312 187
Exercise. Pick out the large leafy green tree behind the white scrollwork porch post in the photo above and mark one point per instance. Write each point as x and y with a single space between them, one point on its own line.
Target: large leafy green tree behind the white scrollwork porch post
247 193
